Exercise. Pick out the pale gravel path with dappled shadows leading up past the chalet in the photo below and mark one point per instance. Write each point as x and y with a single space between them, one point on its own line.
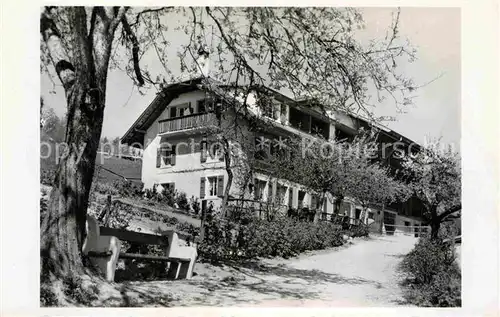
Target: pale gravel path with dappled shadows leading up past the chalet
360 274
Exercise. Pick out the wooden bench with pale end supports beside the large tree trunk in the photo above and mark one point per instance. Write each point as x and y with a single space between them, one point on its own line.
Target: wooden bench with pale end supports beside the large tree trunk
103 246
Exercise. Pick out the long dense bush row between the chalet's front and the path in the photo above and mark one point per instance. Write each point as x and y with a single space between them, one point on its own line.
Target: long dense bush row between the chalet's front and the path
227 239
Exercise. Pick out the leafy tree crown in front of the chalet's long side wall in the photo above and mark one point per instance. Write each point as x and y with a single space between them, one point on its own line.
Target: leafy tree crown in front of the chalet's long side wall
341 169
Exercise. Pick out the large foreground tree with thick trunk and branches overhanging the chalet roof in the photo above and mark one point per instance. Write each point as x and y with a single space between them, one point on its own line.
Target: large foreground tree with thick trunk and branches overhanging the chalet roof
312 52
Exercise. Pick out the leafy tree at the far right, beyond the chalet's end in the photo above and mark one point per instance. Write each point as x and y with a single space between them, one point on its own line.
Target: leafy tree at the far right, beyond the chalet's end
435 178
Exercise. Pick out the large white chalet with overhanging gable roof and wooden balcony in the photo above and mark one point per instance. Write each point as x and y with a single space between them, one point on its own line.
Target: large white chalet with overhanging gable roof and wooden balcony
182 151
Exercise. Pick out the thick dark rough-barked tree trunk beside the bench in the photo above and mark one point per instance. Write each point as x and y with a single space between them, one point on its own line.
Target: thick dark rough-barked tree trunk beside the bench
84 79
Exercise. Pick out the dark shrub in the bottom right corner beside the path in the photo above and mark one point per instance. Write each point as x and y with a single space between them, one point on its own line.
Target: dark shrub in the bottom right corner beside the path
432 274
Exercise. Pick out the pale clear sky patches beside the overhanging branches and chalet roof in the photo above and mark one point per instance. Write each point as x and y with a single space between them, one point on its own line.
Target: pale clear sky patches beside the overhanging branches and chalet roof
435 32
